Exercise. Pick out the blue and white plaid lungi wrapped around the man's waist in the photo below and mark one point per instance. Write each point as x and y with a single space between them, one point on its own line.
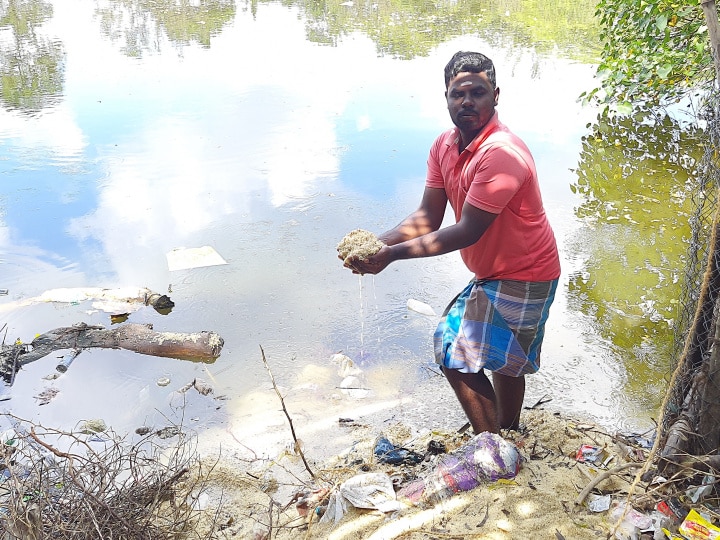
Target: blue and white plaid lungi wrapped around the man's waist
496 325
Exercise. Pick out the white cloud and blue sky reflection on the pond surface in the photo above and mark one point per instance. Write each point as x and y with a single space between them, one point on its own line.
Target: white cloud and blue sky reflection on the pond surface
269 148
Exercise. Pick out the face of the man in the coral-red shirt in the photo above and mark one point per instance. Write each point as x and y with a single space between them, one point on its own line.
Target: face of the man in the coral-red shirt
471 101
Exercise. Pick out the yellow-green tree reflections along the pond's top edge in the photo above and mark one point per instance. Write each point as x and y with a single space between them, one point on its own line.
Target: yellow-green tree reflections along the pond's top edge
399 28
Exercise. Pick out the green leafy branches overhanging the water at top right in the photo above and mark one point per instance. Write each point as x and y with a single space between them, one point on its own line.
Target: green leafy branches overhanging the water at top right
655 52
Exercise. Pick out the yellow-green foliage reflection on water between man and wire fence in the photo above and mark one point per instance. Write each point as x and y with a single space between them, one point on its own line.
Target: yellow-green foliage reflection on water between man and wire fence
635 176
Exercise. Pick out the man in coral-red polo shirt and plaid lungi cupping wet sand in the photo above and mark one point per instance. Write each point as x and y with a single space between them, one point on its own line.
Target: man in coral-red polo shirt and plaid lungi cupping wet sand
488 176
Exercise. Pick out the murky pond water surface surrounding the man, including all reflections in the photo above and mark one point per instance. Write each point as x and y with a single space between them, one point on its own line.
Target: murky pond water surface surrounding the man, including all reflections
267 131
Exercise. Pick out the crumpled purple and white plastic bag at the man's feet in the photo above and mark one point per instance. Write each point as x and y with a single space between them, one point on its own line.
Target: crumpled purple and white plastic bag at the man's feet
487 457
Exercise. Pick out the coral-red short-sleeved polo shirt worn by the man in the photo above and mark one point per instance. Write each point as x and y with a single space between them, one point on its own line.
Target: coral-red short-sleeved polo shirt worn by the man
496 173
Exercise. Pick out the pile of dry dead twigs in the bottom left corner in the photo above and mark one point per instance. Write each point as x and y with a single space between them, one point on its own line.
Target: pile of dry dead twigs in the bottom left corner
75 485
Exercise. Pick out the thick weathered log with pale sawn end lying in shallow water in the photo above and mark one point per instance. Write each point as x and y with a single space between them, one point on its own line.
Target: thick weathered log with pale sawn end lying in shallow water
141 338
